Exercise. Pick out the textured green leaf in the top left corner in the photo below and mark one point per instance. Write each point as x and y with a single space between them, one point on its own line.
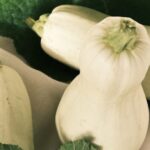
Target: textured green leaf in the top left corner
19 10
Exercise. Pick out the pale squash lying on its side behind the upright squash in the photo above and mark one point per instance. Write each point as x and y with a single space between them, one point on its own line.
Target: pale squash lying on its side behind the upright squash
62 33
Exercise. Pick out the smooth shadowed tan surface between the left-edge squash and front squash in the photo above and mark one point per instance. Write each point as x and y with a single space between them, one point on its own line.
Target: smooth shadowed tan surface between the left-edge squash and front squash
44 93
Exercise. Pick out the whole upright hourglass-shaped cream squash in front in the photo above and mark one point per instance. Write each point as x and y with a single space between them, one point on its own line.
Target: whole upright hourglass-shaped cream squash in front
106 102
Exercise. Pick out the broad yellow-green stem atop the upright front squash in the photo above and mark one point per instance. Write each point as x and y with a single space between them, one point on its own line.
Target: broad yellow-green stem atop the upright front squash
122 38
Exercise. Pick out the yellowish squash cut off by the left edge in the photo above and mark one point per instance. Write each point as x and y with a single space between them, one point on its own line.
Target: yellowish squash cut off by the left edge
15 110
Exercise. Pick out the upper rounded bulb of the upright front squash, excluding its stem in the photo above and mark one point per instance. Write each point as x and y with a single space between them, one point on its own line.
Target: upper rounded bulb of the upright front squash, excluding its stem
111 72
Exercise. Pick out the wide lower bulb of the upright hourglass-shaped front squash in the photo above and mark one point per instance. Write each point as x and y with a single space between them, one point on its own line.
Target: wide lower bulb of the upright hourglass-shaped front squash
109 122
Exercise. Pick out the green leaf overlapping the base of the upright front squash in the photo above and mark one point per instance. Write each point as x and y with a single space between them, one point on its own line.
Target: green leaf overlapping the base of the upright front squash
79 145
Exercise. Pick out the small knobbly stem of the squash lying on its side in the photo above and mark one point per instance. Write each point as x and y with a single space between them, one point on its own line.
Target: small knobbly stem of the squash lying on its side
37 25
